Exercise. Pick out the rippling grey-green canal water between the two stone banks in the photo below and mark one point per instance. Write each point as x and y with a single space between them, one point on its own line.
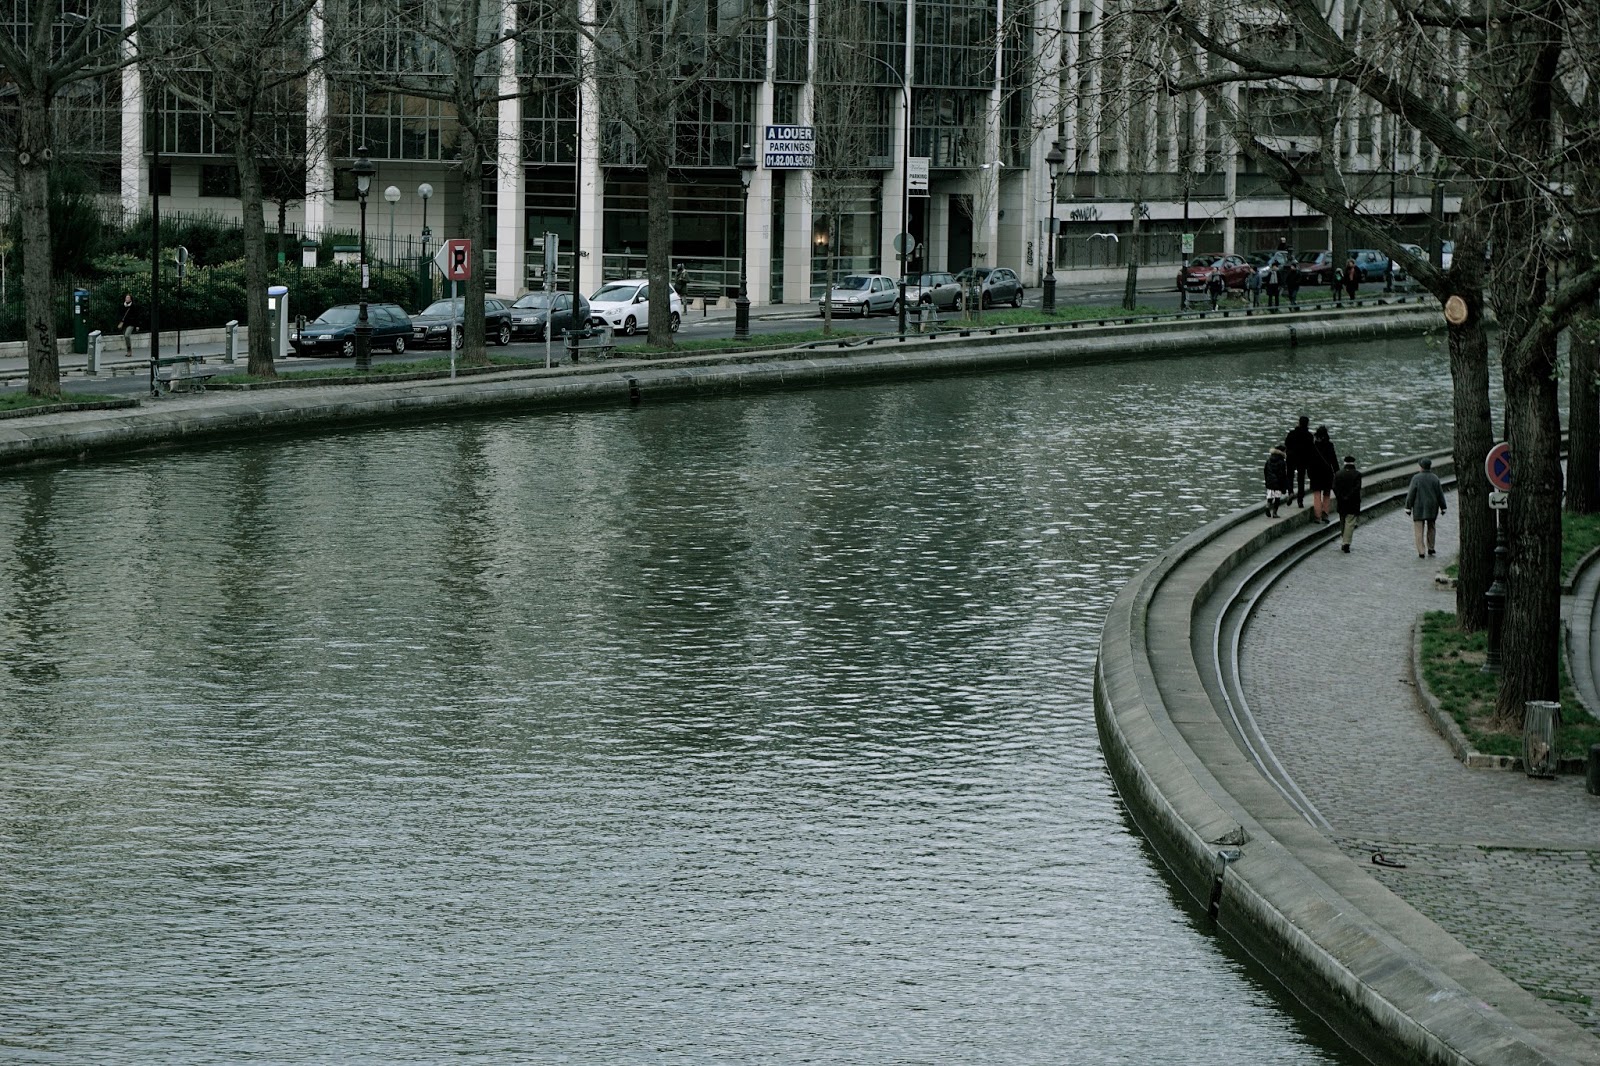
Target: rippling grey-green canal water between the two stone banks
740 731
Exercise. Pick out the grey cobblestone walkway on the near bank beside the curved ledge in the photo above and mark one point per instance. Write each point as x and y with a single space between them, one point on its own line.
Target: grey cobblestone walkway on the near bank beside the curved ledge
1508 865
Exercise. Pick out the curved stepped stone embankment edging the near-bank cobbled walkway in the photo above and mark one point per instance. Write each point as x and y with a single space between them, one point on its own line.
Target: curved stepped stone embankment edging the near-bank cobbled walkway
1390 980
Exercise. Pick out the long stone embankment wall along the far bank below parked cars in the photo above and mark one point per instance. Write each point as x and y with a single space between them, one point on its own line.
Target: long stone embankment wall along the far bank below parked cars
620 382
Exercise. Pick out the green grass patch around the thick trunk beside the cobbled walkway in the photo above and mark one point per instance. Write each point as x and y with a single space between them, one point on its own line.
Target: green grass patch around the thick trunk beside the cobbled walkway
1454 671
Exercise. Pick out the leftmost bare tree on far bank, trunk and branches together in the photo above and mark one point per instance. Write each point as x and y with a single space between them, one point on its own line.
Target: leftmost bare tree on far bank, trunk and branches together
49 50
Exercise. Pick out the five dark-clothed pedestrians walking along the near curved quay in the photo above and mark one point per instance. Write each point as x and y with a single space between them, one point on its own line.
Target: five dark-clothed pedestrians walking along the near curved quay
1308 460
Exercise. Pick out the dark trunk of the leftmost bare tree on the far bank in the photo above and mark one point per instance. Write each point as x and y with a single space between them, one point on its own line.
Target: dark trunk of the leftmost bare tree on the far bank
44 364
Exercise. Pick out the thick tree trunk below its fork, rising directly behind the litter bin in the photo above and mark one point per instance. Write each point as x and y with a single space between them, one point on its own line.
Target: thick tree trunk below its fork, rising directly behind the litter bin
1532 625
